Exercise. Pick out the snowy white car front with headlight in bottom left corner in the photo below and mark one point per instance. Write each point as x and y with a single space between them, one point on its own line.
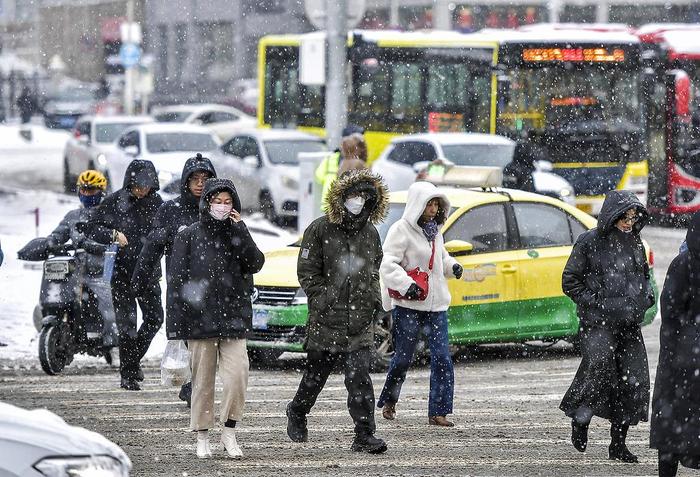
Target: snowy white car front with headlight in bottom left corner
39 443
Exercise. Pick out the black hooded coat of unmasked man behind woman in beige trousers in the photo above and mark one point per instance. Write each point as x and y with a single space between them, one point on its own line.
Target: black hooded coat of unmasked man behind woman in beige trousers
172 217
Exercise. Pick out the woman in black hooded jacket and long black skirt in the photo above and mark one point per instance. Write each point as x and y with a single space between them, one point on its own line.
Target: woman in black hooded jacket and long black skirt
607 277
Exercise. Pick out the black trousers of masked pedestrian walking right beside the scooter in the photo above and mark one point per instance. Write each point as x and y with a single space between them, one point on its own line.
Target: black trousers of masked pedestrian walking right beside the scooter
133 342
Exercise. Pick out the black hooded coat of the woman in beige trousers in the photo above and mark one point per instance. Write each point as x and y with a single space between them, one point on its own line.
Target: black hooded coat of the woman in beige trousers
211 268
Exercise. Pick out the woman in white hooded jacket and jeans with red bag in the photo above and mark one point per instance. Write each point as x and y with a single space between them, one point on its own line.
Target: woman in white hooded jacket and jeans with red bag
413 242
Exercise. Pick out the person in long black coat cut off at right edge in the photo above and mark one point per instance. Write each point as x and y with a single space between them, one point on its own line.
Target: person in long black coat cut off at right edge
675 411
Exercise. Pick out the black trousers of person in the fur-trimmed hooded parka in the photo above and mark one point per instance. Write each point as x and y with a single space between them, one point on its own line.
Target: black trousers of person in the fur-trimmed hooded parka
357 381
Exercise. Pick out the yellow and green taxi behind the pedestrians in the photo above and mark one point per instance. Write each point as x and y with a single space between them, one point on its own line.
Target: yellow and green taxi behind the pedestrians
513 246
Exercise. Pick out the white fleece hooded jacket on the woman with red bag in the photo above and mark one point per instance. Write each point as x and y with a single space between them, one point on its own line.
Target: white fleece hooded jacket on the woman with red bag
406 248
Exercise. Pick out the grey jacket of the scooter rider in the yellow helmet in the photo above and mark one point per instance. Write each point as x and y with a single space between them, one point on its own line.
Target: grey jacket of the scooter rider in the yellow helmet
67 230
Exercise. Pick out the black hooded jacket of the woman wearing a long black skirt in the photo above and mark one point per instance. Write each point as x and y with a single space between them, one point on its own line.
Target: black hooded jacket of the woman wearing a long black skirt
607 274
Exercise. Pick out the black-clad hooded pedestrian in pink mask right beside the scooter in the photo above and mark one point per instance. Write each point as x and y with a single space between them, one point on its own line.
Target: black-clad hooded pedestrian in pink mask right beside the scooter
129 214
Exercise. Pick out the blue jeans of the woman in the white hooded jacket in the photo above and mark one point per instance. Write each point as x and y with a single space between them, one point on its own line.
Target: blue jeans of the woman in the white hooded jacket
405 331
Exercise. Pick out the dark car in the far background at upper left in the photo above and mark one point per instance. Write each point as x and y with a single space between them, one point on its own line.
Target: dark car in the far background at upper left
64 106
